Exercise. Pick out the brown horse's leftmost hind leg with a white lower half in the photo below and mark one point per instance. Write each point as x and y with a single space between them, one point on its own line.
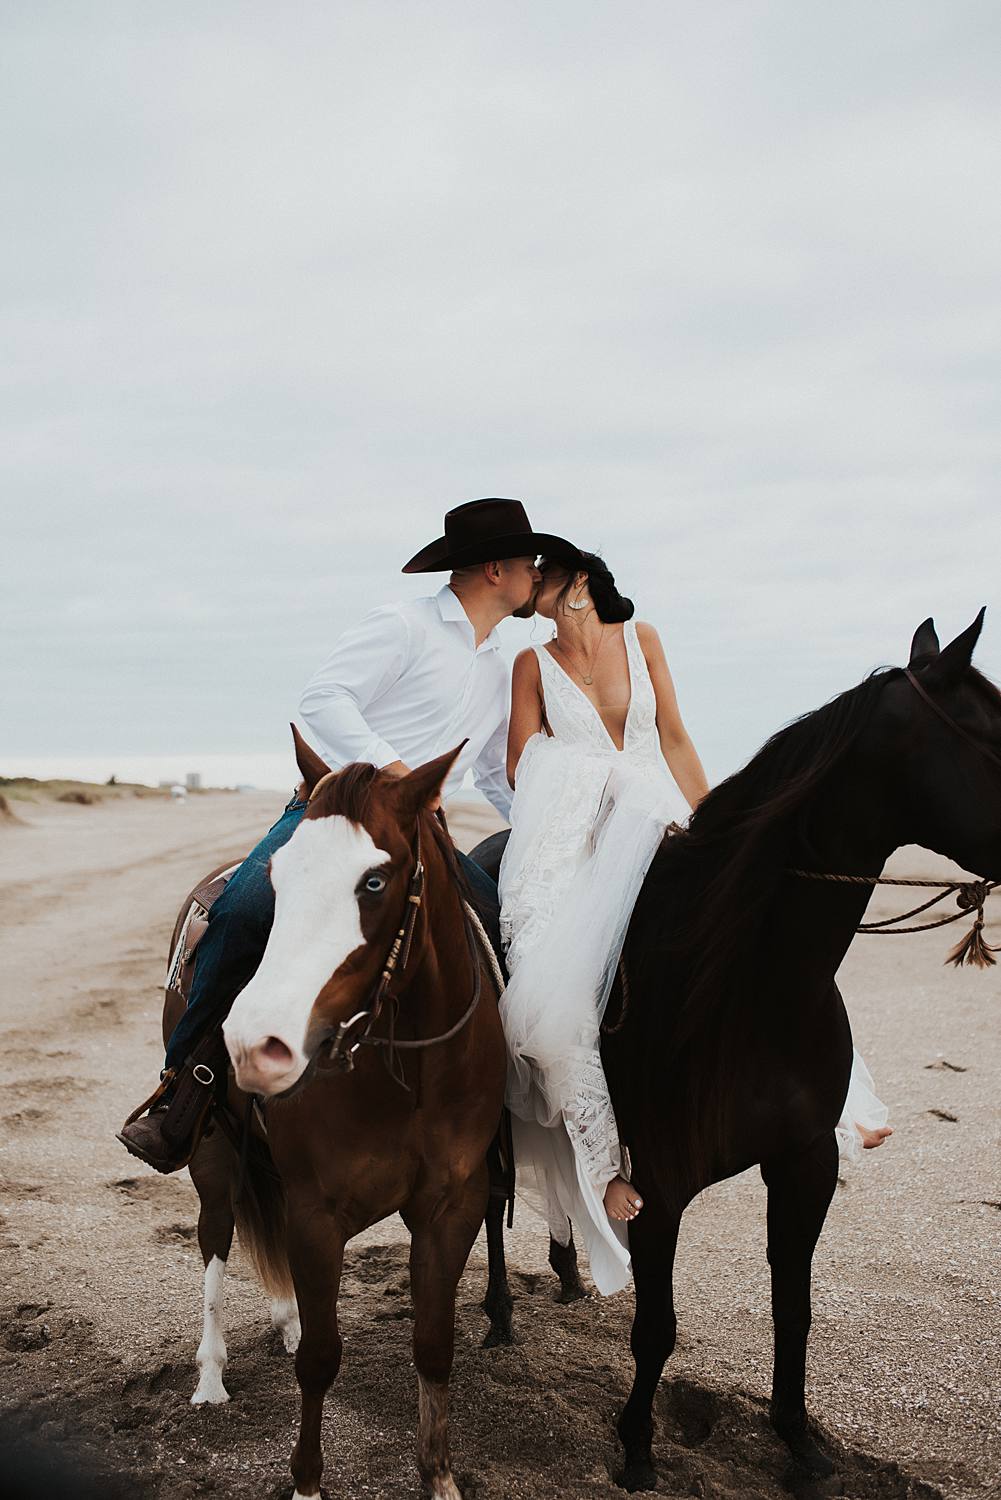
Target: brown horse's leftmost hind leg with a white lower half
211 1175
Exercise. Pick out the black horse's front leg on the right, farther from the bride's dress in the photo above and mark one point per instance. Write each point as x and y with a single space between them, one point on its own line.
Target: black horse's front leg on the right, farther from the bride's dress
801 1190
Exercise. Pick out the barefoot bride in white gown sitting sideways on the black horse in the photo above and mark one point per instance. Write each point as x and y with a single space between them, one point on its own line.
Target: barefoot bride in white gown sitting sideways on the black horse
603 766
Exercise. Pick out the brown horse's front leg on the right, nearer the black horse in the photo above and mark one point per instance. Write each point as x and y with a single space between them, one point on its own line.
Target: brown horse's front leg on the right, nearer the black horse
442 1238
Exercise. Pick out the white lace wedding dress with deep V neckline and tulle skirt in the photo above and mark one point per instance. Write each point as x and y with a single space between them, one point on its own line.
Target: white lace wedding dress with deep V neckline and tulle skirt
588 820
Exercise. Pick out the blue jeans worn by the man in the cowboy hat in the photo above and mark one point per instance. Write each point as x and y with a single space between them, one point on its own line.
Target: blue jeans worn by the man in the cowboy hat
239 926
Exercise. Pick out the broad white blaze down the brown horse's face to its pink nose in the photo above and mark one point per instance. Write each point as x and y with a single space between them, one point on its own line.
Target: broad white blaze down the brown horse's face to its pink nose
317 926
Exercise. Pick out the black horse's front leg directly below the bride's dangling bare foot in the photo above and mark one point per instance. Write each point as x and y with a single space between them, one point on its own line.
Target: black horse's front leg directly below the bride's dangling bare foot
654 1240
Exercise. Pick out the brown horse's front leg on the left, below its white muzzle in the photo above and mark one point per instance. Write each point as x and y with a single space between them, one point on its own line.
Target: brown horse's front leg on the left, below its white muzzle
316 1253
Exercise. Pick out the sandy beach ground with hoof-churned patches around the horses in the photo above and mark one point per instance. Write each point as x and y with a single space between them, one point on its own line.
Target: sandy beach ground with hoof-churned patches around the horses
101 1280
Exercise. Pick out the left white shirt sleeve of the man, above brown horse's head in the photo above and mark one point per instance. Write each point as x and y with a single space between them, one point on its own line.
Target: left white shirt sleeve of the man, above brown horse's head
365 662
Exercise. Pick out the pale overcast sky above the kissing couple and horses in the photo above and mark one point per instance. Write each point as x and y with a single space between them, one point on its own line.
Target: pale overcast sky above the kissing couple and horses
711 287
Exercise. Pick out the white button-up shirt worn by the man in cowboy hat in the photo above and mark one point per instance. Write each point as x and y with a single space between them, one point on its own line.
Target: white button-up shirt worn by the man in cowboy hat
410 683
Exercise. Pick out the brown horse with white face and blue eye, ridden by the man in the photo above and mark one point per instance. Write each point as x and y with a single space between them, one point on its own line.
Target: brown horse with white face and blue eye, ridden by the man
367 947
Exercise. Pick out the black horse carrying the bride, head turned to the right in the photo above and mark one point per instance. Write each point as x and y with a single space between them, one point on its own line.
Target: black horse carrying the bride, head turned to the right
735 1046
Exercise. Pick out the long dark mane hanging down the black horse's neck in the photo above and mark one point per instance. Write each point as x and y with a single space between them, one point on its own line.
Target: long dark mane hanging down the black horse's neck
700 913
